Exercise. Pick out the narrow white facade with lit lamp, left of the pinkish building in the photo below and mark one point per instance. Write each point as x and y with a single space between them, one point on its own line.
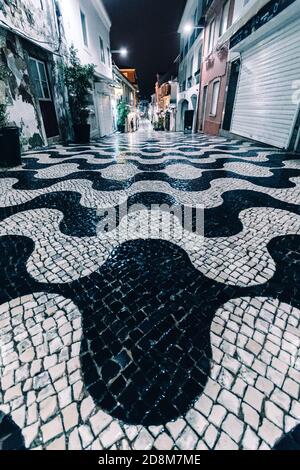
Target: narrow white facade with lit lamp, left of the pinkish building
189 61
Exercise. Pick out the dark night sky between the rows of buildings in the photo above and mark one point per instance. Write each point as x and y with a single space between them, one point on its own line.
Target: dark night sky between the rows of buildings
148 28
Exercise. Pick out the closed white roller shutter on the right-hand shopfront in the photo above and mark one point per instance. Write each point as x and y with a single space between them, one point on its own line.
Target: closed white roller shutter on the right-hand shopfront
264 108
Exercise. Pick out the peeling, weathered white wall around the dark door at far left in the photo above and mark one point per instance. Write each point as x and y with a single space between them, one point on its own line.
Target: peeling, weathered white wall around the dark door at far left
37 23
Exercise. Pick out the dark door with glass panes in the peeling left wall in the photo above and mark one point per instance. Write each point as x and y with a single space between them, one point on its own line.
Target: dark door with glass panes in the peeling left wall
40 81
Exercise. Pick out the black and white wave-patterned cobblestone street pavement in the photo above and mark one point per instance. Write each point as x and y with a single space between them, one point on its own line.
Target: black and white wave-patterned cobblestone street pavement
117 337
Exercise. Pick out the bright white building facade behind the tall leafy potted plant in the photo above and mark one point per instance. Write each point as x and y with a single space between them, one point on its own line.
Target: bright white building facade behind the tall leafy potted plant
87 27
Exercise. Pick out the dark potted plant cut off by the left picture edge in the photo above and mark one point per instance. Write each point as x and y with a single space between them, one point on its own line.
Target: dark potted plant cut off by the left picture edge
9 135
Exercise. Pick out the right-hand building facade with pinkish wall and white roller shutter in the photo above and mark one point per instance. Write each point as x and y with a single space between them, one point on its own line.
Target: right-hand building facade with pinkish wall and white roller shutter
250 71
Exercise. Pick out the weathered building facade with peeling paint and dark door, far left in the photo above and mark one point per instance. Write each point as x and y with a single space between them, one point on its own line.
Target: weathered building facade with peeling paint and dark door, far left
32 57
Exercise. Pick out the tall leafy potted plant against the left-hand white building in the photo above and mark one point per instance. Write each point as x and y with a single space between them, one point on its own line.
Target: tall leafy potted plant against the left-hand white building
78 79
